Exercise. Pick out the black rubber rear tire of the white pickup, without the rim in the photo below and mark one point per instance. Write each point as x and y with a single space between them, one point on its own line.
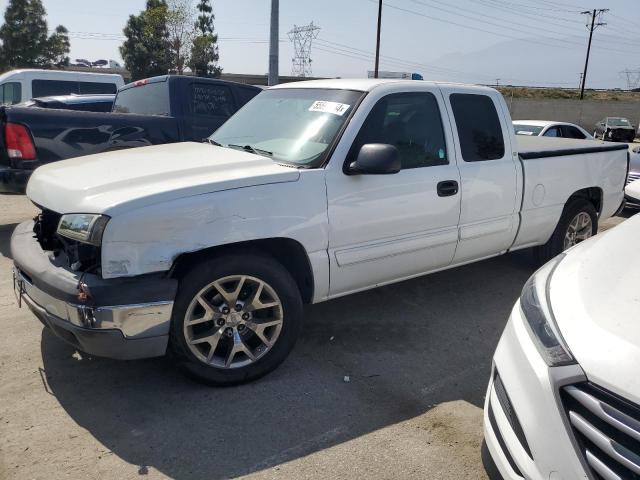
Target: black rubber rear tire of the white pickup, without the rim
556 243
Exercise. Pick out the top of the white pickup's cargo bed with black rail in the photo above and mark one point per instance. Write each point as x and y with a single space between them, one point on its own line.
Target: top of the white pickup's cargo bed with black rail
542 147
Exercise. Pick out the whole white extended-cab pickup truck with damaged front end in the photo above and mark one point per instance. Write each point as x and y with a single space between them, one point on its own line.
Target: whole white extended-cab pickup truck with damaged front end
311 191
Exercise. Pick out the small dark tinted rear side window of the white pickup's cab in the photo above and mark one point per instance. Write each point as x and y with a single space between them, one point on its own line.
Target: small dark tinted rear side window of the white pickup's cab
479 127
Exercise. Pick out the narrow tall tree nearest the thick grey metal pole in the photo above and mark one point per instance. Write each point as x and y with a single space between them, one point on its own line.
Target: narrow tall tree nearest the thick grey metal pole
204 51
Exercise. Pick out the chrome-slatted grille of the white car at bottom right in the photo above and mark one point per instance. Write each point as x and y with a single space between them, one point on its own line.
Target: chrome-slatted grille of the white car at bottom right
607 428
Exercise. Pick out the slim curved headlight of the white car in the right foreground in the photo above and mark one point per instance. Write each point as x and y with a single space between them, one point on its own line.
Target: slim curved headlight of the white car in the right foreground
540 321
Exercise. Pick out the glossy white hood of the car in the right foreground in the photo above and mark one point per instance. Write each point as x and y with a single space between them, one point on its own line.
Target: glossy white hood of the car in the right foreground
595 297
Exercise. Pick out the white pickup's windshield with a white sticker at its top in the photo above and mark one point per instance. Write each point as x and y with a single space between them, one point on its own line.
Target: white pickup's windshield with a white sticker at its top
294 126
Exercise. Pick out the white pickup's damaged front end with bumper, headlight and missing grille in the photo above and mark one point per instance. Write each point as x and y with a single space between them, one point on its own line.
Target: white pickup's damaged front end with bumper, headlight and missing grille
59 278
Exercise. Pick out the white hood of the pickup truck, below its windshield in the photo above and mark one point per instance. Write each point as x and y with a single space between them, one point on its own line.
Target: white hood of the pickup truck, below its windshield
126 179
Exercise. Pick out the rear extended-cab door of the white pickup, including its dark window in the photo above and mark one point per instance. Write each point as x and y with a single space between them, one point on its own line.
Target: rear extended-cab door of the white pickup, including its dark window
488 173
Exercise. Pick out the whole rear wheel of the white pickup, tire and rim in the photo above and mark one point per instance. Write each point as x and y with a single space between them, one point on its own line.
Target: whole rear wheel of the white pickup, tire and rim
579 221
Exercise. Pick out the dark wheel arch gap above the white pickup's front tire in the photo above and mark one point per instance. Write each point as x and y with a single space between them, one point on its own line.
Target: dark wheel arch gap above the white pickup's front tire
287 251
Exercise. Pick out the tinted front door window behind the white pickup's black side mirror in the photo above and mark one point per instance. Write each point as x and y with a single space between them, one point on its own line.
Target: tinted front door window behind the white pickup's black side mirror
411 122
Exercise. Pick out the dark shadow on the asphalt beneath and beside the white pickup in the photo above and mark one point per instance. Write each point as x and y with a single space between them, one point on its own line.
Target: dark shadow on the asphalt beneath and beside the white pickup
405 348
